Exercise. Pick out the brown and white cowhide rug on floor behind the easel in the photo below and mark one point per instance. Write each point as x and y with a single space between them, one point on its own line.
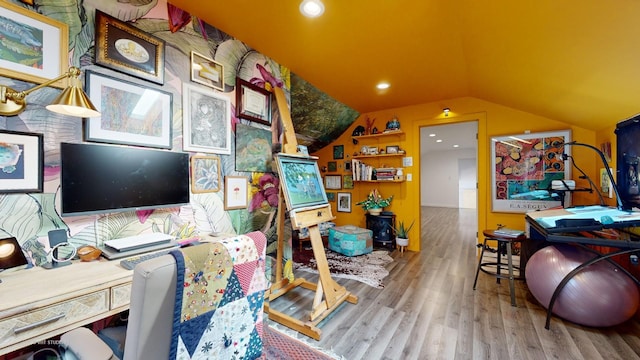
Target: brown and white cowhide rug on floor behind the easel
369 268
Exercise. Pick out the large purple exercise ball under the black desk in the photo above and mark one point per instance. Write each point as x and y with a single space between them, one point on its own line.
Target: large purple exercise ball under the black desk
599 295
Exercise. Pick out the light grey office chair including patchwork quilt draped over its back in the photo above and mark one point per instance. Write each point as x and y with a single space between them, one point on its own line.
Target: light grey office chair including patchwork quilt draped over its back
224 293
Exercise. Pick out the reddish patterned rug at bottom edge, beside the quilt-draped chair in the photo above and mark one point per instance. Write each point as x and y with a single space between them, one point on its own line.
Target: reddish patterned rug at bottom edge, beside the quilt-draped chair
280 346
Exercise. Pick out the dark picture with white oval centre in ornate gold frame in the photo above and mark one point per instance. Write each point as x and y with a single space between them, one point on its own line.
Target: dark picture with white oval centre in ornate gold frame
125 48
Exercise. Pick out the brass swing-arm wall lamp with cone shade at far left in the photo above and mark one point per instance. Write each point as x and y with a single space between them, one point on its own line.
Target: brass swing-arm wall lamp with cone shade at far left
72 101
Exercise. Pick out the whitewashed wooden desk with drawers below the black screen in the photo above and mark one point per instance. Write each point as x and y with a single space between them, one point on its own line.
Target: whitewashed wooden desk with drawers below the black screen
36 304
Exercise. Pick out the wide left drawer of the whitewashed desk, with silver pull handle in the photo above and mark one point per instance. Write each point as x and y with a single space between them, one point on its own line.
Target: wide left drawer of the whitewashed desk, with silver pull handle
34 323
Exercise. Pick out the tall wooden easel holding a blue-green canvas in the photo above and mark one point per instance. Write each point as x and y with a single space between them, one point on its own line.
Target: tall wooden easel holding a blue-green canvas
307 205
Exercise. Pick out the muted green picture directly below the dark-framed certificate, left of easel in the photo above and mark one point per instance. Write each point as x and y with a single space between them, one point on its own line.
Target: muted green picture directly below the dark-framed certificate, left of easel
253 149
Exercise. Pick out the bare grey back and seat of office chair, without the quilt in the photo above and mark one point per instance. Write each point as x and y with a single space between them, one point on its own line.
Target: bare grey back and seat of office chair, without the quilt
148 332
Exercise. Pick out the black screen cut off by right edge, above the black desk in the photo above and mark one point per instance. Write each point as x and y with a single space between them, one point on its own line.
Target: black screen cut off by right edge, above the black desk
628 157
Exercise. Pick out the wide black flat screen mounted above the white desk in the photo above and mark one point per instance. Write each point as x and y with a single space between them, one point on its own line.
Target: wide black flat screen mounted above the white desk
105 178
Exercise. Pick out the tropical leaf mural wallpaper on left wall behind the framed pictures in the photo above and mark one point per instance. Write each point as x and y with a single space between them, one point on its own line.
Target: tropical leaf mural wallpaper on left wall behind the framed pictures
30 216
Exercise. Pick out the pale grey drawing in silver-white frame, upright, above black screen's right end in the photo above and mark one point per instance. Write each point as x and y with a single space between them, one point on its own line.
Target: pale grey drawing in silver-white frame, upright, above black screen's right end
206 120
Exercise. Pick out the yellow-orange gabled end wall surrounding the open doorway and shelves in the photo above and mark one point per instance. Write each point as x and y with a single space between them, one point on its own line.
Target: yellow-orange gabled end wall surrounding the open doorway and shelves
493 120
